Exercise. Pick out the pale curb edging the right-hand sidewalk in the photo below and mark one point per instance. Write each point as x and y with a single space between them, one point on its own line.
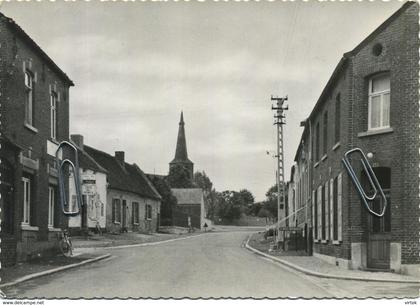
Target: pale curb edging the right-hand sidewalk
323 275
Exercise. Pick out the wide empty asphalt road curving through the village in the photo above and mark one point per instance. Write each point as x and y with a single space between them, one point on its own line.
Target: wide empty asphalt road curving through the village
210 265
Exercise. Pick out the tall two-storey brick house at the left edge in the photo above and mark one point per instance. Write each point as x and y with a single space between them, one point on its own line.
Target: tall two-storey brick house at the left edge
35 118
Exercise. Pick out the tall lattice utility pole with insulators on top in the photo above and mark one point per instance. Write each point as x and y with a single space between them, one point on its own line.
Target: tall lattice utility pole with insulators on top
279 120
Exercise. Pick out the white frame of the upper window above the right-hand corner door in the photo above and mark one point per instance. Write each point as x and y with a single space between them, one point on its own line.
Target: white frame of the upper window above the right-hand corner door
381 94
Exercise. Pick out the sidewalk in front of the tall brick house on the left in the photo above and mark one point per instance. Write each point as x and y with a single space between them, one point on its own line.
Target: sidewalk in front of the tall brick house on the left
43 266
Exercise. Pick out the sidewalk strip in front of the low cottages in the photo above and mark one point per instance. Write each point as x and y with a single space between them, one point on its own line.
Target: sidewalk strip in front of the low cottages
130 238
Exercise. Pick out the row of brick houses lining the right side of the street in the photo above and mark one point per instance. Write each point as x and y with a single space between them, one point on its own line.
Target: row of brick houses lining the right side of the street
371 102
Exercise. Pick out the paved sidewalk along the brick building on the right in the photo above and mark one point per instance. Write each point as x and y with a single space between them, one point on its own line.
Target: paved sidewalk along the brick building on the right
314 266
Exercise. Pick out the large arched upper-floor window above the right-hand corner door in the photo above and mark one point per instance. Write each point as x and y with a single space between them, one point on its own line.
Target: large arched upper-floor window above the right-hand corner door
379 102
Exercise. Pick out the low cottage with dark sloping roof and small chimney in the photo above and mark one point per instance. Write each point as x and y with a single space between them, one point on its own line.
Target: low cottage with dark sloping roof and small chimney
133 204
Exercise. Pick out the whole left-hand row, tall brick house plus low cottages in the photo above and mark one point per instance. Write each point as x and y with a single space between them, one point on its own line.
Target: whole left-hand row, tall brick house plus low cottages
34 120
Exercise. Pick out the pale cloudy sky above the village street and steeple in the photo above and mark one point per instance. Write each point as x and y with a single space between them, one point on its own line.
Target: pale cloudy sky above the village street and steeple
137 65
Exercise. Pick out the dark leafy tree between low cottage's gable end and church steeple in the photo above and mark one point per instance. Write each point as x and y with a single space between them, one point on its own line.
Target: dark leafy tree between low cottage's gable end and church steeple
168 199
